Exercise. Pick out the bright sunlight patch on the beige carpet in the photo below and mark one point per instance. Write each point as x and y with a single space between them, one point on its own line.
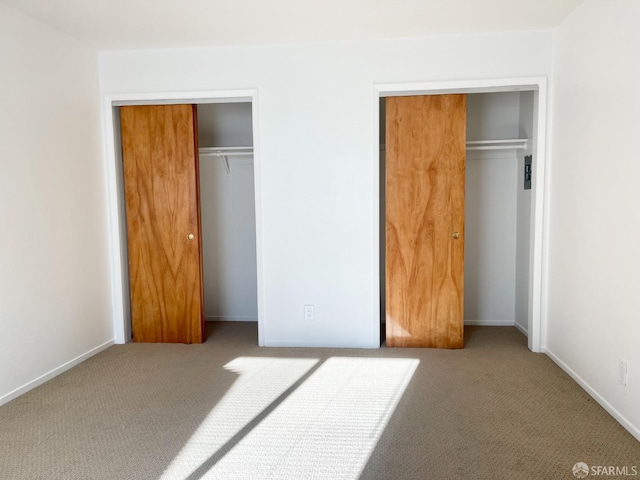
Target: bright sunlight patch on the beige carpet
324 428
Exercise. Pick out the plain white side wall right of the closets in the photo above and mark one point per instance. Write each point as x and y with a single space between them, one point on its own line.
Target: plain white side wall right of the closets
593 309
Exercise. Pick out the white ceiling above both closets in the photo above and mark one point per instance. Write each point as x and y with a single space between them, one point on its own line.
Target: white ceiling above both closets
126 24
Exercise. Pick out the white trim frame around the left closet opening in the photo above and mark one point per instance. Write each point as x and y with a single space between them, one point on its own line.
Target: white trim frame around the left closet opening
114 217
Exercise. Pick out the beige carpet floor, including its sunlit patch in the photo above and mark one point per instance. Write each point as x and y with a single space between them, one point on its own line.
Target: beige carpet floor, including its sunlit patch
229 409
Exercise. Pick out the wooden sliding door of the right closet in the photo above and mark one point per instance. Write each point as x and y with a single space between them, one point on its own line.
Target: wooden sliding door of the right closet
425 170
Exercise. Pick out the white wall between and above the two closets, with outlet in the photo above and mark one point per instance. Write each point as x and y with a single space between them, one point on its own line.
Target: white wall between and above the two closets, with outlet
316 131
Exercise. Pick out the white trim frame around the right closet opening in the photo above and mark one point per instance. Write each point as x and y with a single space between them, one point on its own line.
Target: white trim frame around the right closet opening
539 231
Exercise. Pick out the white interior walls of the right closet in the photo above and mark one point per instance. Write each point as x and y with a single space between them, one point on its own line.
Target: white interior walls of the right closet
497 211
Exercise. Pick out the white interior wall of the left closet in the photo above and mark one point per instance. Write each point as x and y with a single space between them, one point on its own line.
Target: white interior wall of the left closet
227 210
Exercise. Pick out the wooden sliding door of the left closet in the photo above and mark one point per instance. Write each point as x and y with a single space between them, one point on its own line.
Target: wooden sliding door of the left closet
159 148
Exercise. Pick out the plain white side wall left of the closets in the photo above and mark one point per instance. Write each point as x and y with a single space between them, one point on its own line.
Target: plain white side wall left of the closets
55 302
